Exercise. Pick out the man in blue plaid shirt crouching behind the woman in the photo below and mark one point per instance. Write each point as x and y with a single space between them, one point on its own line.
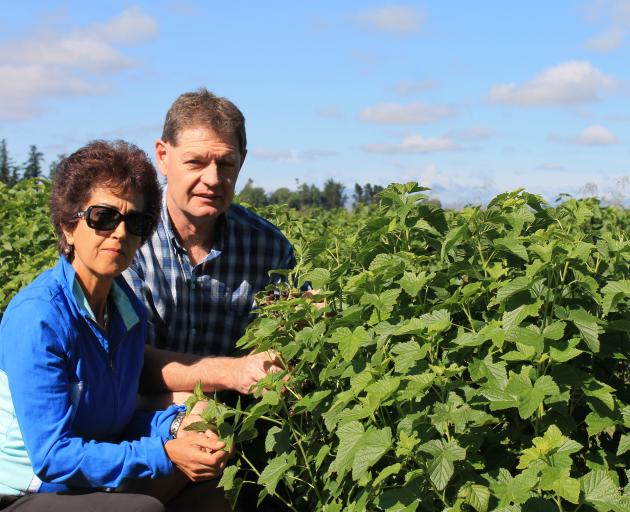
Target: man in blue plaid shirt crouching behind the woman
199 272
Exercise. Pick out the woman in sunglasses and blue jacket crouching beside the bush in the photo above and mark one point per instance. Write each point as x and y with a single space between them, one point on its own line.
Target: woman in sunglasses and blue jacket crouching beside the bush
71 352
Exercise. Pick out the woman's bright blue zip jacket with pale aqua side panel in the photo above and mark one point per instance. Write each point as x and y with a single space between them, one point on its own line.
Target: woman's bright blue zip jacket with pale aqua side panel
68 391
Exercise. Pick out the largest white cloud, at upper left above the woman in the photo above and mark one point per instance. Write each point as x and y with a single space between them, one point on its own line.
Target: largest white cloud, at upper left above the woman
48 64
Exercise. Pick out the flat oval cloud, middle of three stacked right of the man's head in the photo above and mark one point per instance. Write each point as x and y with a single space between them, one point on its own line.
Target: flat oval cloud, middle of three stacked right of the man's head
414 113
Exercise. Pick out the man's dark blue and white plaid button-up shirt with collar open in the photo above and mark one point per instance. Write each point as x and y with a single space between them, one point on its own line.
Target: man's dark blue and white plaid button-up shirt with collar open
204 309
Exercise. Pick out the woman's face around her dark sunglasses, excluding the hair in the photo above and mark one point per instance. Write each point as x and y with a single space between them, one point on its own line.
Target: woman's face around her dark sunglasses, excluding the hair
100 254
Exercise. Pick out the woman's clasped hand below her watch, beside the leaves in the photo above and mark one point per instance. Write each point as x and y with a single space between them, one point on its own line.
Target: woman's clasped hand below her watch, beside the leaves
200 456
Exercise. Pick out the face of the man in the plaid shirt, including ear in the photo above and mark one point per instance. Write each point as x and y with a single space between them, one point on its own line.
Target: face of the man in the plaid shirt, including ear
201 170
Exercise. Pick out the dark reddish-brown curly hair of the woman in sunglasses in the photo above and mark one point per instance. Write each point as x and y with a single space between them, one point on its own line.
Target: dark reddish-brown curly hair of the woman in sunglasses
118 166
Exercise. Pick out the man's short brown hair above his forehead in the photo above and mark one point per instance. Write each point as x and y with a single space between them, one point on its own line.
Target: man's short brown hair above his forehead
204 109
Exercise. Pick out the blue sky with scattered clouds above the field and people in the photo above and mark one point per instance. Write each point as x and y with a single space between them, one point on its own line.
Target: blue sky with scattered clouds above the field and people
468 98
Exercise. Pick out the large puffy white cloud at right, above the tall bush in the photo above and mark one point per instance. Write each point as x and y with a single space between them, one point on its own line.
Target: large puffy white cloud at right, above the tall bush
569 83
